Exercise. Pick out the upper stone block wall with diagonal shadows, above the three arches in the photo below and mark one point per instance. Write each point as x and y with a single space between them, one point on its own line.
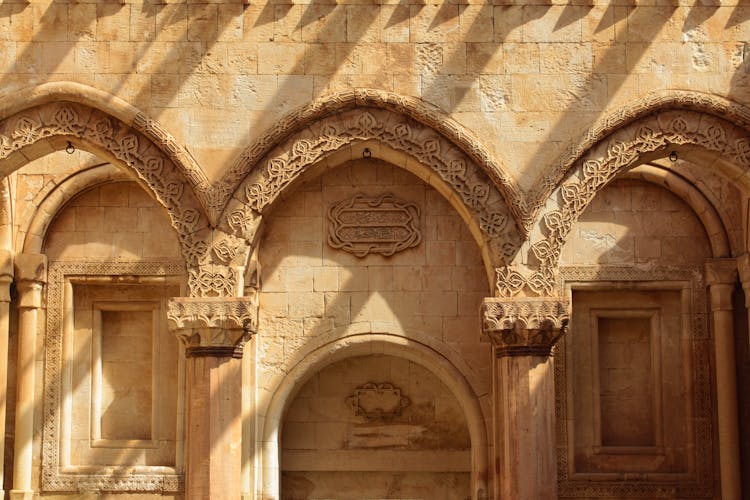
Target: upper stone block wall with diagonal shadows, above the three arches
532 77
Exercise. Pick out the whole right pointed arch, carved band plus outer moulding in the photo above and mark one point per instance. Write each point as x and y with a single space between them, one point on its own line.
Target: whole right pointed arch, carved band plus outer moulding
713 130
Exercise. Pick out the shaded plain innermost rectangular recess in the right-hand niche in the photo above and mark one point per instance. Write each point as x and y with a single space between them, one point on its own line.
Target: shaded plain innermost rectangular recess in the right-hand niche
626 391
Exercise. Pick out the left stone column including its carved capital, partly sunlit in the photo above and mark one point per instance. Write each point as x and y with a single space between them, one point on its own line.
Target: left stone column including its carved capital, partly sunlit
214 331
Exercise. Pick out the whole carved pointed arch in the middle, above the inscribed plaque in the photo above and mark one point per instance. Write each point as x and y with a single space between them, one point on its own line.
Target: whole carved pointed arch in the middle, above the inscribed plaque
403 131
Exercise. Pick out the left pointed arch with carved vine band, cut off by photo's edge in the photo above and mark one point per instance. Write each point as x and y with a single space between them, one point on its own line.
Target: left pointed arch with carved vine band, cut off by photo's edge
43 119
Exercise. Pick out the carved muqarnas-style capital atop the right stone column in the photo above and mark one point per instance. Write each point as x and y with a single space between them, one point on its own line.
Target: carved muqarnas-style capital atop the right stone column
526 327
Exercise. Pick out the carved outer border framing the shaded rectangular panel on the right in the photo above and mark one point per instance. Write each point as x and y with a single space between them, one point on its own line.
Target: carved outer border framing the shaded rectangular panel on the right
701 484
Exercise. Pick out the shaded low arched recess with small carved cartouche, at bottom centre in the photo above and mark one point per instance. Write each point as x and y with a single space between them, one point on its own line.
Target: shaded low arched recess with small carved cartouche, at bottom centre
375 426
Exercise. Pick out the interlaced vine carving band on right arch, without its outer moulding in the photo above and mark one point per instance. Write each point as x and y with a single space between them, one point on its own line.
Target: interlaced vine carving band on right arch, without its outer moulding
601 165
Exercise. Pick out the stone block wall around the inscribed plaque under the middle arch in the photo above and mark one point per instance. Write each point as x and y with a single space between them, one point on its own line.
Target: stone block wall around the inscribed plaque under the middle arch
310 289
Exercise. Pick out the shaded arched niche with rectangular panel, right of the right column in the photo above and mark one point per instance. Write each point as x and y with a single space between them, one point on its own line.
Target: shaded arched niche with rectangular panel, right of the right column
634 373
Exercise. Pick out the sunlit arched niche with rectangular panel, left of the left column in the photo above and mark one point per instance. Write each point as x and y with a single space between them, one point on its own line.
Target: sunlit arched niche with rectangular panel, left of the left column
112 372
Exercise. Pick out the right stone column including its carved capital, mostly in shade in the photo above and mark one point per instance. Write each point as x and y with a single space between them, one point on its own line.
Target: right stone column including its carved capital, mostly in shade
523 332
